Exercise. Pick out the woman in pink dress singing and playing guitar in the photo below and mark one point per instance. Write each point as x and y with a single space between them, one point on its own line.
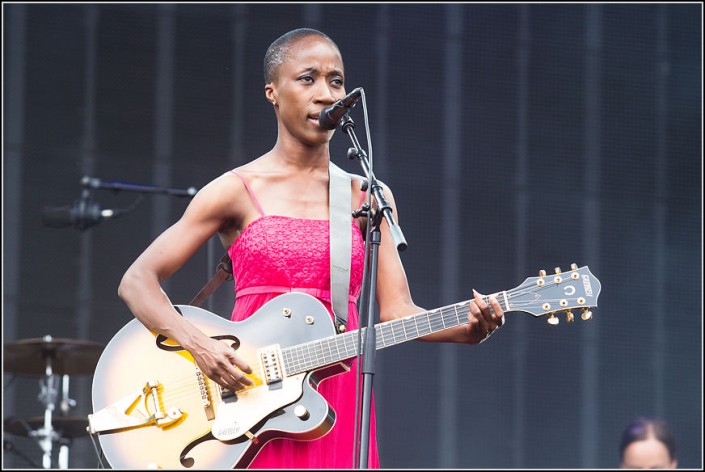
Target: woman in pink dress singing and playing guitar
272 216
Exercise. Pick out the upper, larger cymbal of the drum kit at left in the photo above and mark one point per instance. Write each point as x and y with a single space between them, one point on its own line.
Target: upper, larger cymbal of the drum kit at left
67 356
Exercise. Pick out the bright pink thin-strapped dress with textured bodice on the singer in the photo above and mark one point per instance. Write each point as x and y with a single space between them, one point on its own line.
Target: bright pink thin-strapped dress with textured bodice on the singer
277 254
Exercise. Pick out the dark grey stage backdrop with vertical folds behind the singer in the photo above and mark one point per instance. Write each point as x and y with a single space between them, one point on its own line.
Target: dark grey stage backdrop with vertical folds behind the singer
515 137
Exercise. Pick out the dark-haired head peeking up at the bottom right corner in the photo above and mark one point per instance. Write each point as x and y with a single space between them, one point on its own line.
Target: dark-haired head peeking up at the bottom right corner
648 443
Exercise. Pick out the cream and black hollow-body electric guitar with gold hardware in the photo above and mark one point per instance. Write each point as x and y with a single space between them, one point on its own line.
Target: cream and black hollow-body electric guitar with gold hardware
154 408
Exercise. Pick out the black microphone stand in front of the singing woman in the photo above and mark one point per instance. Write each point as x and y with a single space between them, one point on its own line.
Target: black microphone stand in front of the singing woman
374 218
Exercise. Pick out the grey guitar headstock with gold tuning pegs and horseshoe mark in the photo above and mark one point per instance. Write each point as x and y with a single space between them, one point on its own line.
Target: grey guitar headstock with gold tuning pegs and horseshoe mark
549 294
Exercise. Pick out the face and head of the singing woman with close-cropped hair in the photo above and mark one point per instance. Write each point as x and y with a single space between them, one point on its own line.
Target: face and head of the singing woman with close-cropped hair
310 79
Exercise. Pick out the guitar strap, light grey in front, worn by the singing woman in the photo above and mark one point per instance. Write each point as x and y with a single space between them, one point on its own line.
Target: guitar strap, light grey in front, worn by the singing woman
340 196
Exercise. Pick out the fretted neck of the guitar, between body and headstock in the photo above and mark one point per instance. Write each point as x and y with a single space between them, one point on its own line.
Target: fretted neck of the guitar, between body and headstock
333 349
